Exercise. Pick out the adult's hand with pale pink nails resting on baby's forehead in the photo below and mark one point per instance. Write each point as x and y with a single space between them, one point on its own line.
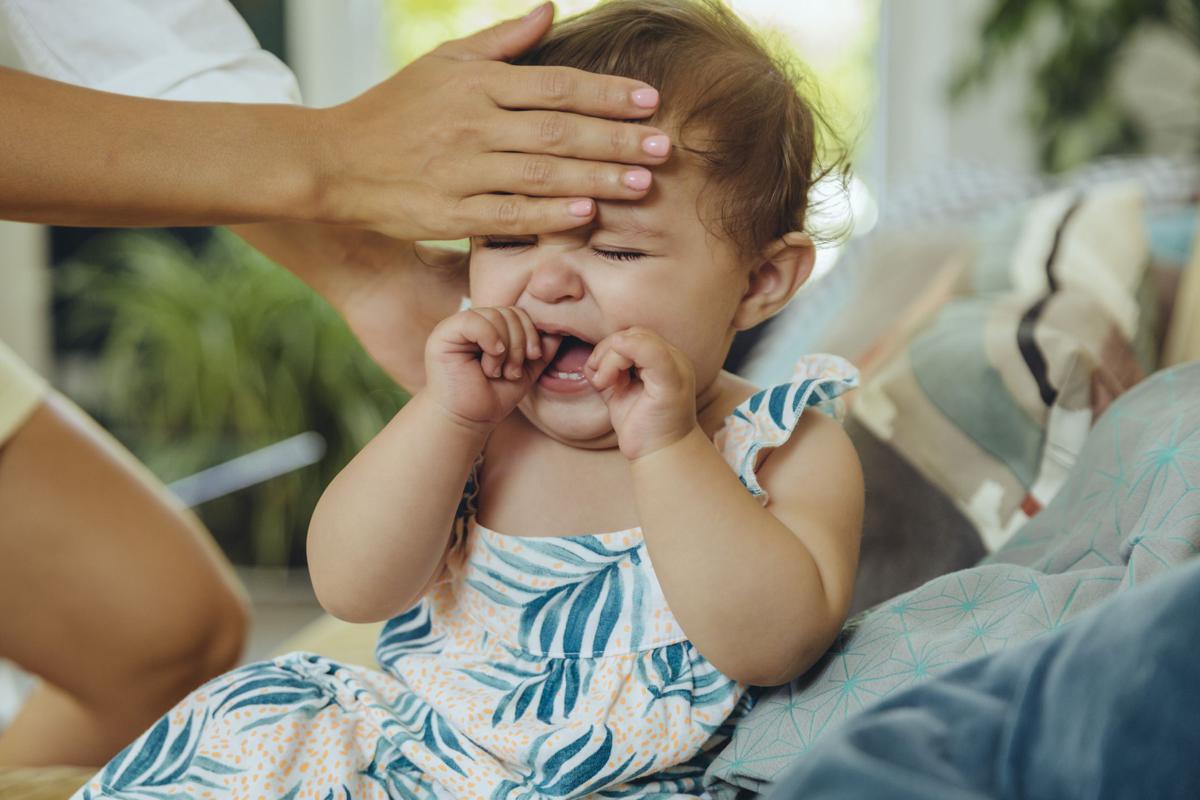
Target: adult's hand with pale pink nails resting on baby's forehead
460 143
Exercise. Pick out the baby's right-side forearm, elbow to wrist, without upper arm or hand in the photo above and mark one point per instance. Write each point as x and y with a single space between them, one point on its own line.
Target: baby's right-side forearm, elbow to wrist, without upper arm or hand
745 588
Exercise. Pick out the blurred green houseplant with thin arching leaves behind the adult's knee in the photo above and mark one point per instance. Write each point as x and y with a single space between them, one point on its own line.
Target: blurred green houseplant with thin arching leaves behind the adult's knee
209 354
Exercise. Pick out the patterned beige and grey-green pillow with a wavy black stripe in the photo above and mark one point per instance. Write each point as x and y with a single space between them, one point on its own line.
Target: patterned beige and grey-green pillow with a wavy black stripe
992 400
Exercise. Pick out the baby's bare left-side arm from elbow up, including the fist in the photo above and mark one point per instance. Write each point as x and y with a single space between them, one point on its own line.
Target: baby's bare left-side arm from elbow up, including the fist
381 531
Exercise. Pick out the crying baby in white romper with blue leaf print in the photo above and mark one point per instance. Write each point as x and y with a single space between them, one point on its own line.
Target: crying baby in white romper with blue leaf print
643 536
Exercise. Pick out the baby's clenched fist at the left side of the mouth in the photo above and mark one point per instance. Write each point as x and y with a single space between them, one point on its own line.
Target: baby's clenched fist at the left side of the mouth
481 363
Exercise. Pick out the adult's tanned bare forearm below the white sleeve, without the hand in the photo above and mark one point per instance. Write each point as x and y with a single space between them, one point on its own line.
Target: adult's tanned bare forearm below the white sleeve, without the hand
81 158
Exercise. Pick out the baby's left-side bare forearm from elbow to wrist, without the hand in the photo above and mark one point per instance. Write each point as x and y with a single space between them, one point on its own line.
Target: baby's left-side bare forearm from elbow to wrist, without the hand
381 530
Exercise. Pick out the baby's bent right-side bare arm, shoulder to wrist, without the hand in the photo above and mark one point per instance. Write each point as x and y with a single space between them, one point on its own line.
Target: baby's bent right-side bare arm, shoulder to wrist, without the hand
760 592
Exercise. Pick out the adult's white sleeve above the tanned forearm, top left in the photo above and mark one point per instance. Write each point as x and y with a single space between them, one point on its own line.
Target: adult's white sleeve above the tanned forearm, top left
176 50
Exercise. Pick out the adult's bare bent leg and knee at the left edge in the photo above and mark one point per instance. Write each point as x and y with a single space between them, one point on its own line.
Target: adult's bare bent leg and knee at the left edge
111 592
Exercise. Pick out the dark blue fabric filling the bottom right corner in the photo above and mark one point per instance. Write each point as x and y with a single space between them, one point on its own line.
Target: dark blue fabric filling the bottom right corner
1106 707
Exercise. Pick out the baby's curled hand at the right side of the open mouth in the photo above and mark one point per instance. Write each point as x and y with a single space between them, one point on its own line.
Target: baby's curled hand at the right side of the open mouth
657 406
